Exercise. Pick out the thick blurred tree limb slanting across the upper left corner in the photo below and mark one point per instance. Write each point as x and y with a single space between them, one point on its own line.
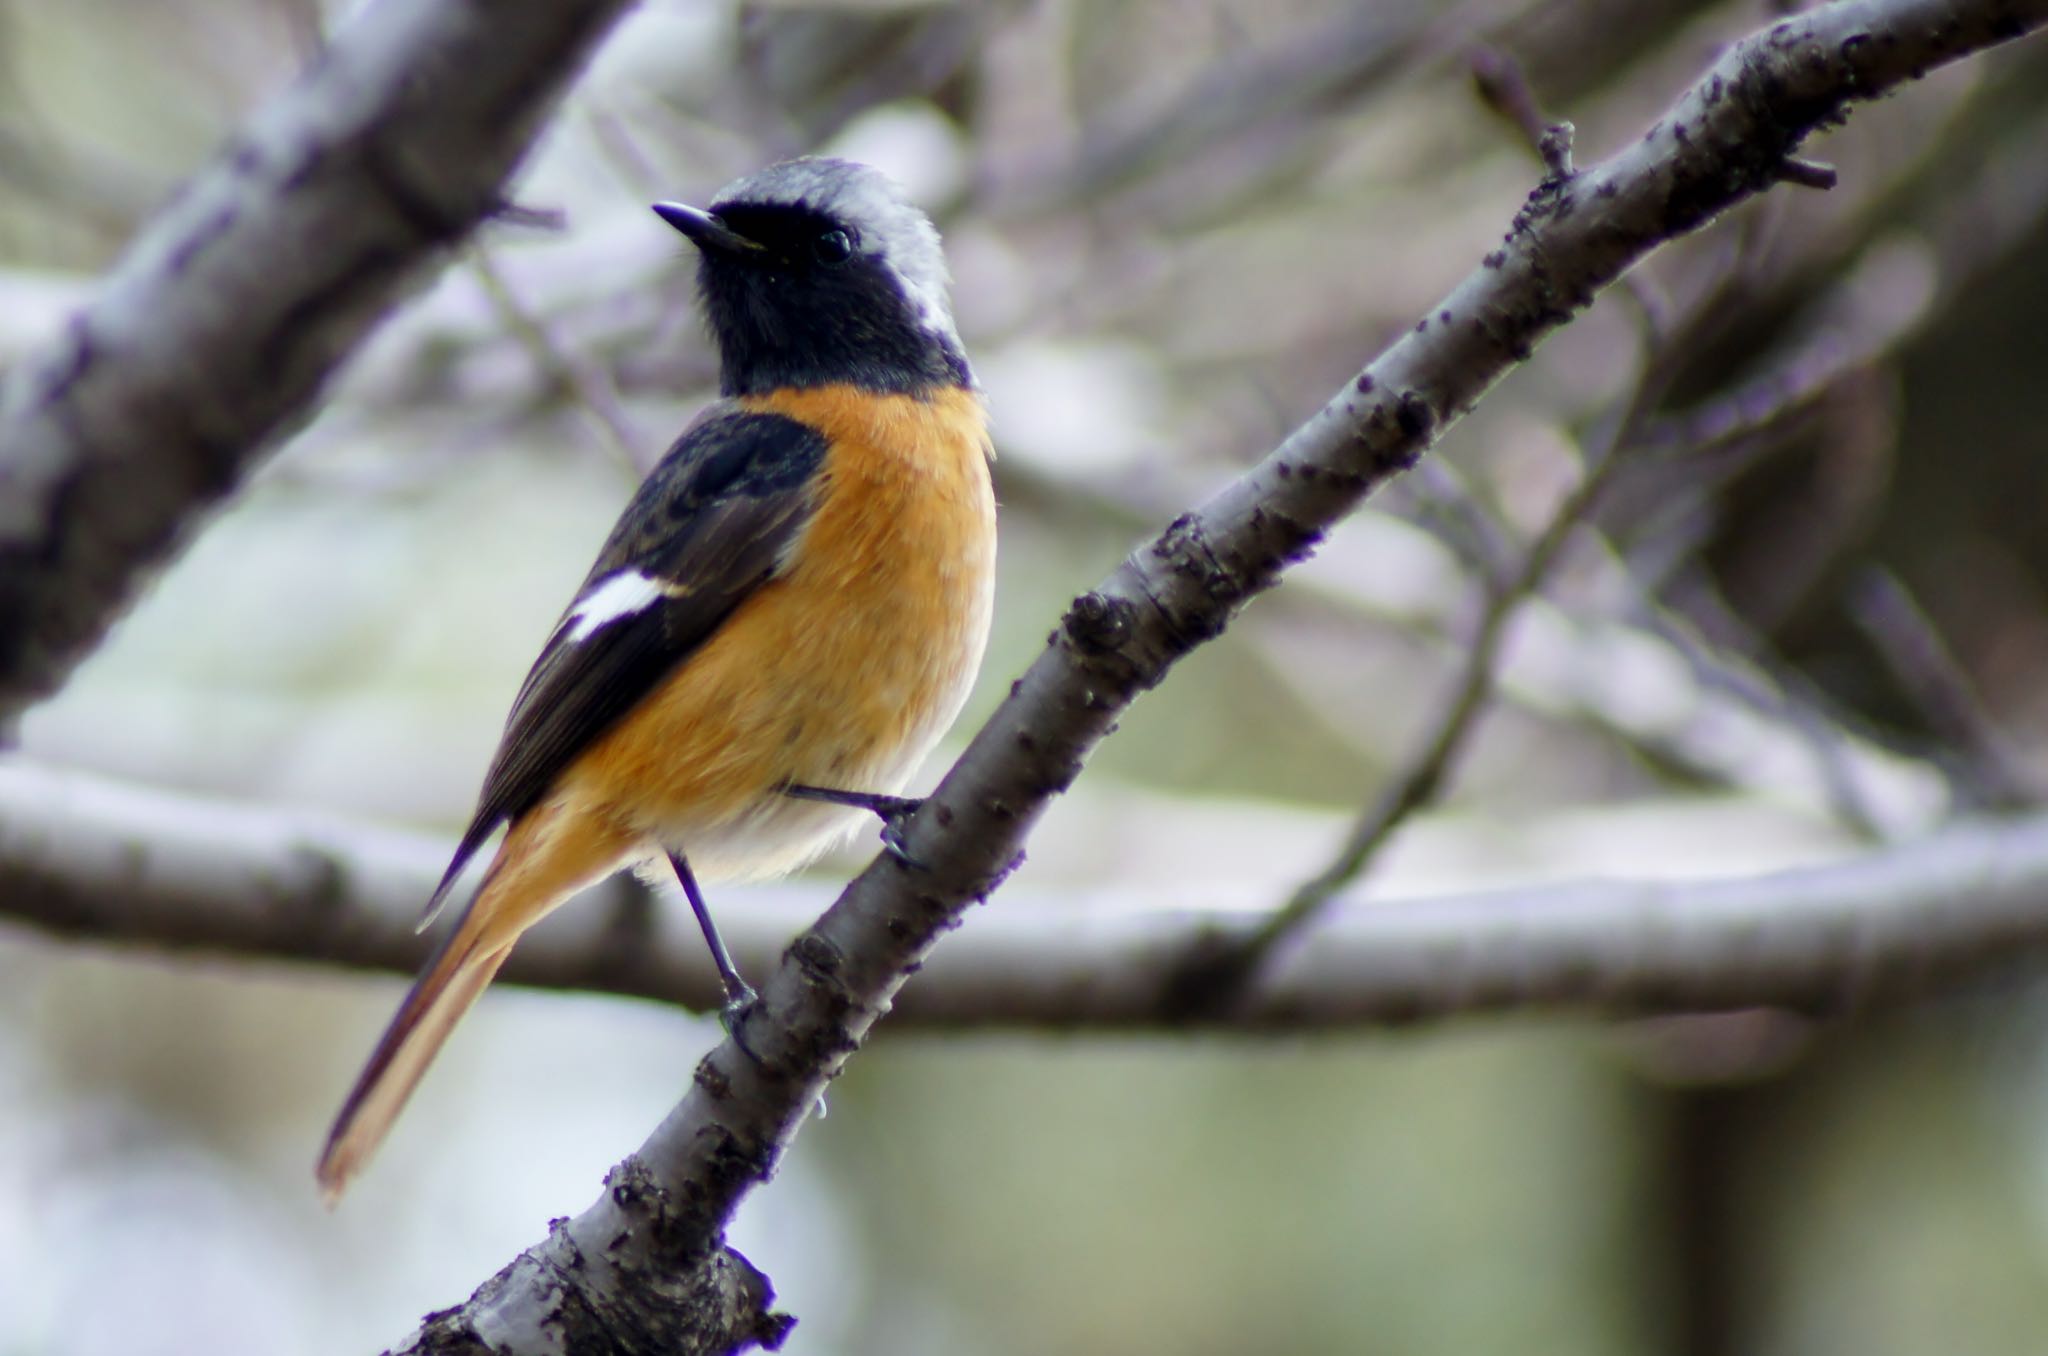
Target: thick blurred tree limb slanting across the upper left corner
222 323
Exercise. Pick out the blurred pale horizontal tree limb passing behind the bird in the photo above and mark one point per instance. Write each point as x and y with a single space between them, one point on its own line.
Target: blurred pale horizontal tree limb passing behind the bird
101 861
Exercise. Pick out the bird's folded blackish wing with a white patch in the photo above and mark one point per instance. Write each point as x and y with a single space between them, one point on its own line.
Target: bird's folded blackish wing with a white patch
708 527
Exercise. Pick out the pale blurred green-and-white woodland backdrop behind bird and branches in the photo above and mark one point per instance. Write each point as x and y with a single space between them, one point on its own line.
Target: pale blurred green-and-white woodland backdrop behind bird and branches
1177 228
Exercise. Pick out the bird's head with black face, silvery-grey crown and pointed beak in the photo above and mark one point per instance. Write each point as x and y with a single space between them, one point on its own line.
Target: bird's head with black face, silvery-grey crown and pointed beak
820 271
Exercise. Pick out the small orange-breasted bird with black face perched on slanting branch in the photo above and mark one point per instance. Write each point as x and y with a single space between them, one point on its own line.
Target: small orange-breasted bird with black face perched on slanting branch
783 622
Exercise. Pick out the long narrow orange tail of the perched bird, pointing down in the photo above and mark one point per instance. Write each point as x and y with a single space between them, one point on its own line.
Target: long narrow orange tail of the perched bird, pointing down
540 865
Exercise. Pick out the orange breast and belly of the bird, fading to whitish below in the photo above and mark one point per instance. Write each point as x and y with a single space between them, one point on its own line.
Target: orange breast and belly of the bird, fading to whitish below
841 673
